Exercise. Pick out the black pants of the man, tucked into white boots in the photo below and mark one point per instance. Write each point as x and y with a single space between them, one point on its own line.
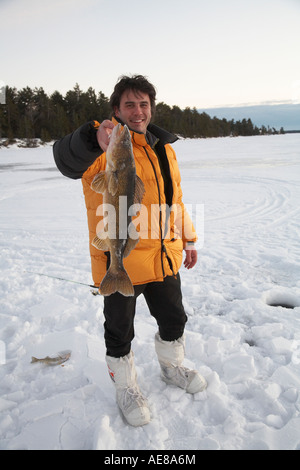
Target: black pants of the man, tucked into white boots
164 300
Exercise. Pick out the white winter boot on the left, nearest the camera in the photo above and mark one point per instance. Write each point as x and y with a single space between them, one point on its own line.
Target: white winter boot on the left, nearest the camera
132 403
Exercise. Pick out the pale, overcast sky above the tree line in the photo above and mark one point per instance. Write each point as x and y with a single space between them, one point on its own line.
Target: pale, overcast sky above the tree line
197 53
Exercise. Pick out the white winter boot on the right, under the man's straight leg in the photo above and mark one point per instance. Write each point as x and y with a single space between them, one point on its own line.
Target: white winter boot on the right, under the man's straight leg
170 356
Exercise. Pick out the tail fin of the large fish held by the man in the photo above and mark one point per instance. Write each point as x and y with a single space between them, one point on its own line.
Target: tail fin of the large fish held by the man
116 281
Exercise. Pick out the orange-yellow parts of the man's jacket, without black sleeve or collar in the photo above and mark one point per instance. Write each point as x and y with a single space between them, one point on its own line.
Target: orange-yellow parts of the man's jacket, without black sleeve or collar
164 226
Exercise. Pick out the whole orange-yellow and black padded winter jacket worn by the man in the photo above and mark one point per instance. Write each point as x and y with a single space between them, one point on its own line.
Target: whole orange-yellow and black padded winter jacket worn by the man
163 223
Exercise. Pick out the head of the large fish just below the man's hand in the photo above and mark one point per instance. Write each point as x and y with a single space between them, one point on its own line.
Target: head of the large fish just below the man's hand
120 145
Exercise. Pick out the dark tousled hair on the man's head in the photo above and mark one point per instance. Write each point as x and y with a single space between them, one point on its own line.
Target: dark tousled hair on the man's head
135 83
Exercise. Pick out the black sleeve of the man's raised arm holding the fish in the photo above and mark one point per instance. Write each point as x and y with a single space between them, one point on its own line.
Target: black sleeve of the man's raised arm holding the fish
76 152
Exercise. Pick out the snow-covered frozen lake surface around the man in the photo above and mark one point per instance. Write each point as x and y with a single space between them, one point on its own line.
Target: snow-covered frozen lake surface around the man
248 350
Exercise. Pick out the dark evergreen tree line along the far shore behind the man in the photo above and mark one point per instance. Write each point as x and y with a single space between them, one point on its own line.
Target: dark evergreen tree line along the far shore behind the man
31 114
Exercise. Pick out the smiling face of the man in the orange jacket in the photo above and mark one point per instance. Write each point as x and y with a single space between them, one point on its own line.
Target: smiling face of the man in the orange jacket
134 110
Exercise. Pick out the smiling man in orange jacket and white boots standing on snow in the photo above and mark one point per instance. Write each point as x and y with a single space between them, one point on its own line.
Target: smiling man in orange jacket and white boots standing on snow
154 264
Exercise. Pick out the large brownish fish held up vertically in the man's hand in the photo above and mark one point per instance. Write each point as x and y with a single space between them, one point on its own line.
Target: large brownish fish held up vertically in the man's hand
122 189
